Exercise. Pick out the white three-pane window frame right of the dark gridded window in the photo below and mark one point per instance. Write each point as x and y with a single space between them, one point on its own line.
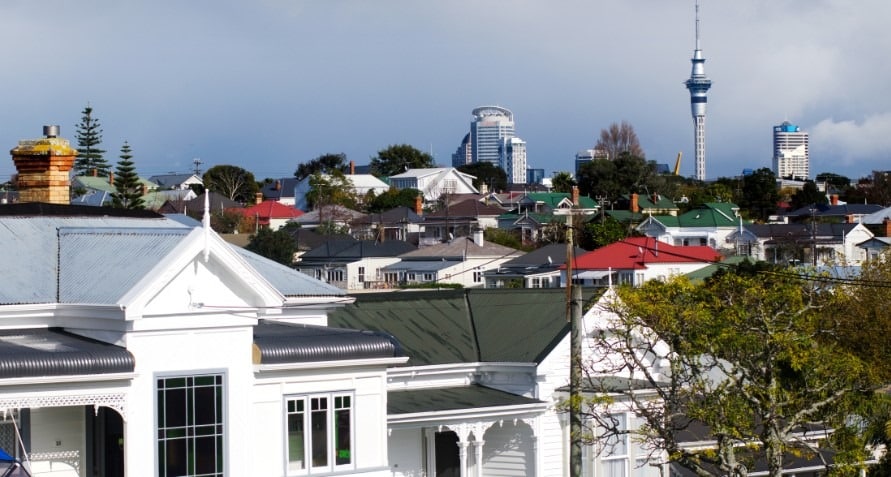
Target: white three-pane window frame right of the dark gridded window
334 399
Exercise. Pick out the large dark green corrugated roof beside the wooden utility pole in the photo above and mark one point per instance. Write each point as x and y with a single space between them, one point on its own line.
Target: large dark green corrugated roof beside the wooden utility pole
465 325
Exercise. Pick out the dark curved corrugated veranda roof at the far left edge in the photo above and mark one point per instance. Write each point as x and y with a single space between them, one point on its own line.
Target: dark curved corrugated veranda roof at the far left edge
51 352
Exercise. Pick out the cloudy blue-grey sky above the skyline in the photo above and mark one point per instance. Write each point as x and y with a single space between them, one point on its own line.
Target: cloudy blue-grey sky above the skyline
269 84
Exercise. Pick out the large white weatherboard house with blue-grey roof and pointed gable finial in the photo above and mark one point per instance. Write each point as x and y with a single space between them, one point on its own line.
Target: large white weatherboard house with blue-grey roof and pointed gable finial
134 344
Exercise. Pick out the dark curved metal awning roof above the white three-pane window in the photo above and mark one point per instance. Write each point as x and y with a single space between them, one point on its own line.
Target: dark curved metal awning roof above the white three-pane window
280 343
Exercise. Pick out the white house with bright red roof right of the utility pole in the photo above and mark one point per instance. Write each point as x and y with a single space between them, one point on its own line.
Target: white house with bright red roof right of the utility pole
636 260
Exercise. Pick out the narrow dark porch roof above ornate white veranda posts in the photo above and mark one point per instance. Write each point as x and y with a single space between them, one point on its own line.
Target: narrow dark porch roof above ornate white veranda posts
451 398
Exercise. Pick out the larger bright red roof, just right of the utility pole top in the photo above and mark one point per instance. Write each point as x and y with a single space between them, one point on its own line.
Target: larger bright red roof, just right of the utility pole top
639 252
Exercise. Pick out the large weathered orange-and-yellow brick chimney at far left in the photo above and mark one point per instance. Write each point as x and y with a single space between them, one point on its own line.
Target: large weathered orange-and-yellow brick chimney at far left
43 166
